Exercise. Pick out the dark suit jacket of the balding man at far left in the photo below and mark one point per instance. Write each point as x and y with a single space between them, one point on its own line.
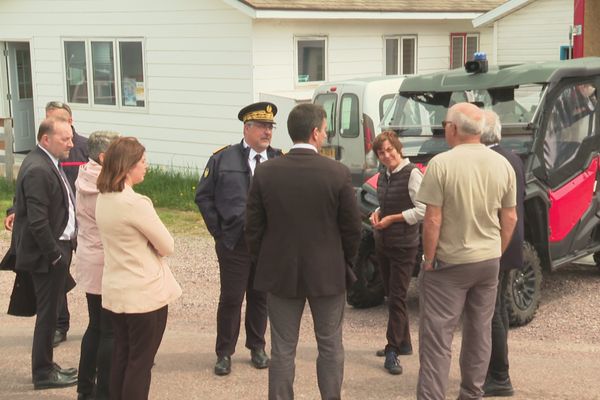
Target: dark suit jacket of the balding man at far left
41 213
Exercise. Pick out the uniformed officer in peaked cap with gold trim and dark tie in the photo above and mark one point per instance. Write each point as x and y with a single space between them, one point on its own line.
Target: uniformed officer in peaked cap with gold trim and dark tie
221 198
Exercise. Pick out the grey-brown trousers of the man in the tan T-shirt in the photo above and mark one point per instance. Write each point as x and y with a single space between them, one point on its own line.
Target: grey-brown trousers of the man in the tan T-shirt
445 294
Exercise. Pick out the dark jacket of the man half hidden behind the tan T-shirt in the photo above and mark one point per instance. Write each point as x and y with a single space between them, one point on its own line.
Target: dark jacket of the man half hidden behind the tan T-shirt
513 255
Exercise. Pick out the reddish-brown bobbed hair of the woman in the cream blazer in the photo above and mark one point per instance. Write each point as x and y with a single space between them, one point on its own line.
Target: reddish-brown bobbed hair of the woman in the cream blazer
119 159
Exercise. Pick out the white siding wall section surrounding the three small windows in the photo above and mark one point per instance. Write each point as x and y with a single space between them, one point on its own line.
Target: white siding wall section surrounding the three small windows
354 49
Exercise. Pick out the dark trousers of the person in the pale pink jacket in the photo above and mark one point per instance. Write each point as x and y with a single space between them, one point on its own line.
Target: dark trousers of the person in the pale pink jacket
96 350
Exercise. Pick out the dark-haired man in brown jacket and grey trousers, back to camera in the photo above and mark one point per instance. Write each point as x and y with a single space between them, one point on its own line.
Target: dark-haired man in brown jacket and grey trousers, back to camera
303 228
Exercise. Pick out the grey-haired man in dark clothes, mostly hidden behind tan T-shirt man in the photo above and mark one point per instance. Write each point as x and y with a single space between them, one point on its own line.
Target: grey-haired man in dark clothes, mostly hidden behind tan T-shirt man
497 382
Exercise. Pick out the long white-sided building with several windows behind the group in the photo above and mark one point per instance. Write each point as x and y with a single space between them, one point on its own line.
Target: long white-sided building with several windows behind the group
175 74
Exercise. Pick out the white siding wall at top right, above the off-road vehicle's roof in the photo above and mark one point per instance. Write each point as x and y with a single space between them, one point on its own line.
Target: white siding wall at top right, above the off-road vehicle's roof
535 32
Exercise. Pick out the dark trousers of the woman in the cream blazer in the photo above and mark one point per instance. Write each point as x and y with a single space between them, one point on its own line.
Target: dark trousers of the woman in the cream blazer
137 338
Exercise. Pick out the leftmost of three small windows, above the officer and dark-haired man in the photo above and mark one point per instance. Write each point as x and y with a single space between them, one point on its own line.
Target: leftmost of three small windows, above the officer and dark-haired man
311 59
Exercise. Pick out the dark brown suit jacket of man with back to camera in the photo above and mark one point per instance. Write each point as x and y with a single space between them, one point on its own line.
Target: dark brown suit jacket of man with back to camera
302 225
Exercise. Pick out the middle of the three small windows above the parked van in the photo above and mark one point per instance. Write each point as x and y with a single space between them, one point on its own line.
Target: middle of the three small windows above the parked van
400 55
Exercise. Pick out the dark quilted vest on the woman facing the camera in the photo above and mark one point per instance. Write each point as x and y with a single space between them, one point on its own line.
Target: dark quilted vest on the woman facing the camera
393 199
